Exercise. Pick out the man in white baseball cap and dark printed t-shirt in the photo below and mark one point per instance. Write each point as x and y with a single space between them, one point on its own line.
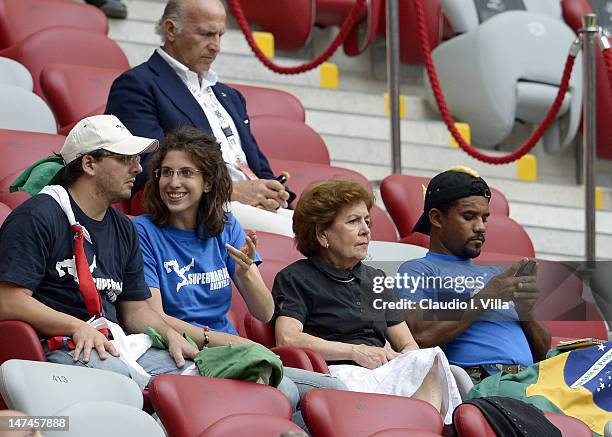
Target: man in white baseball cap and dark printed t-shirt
68 258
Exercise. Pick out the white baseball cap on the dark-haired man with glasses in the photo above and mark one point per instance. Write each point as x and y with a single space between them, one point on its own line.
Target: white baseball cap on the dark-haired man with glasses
103 132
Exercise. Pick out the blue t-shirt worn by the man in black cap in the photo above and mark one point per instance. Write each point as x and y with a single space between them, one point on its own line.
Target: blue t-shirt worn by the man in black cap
495 338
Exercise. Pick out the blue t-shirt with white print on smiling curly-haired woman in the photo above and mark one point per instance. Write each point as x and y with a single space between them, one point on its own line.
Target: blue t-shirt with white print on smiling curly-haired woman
192 274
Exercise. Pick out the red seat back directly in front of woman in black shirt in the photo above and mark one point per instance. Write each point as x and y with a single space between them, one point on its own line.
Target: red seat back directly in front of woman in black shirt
343 413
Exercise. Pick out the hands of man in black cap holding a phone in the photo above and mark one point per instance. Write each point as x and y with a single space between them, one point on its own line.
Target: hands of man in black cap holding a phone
522 290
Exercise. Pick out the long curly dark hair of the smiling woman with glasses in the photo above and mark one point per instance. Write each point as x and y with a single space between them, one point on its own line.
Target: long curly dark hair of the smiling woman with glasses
205 153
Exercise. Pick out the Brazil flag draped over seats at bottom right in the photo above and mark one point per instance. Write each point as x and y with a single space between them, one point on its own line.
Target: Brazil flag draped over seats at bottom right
576 383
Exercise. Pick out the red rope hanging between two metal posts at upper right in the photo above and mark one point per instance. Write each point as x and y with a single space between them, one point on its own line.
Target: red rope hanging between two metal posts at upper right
448 119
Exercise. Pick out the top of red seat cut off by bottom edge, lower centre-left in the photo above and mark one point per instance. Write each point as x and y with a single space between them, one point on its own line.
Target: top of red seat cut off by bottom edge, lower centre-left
250 424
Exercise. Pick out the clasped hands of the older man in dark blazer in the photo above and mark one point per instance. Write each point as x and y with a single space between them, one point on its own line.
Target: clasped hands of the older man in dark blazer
268 194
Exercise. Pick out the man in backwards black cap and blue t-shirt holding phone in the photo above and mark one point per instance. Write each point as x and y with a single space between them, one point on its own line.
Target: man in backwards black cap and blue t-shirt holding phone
481 316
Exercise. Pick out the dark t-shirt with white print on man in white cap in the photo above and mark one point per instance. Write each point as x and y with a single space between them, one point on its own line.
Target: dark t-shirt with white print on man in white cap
37 253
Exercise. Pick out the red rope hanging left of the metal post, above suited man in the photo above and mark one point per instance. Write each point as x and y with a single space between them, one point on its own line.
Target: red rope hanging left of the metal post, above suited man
348 24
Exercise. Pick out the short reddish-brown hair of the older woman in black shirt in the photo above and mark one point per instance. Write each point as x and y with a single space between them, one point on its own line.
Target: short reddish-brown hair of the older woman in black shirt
318 206
